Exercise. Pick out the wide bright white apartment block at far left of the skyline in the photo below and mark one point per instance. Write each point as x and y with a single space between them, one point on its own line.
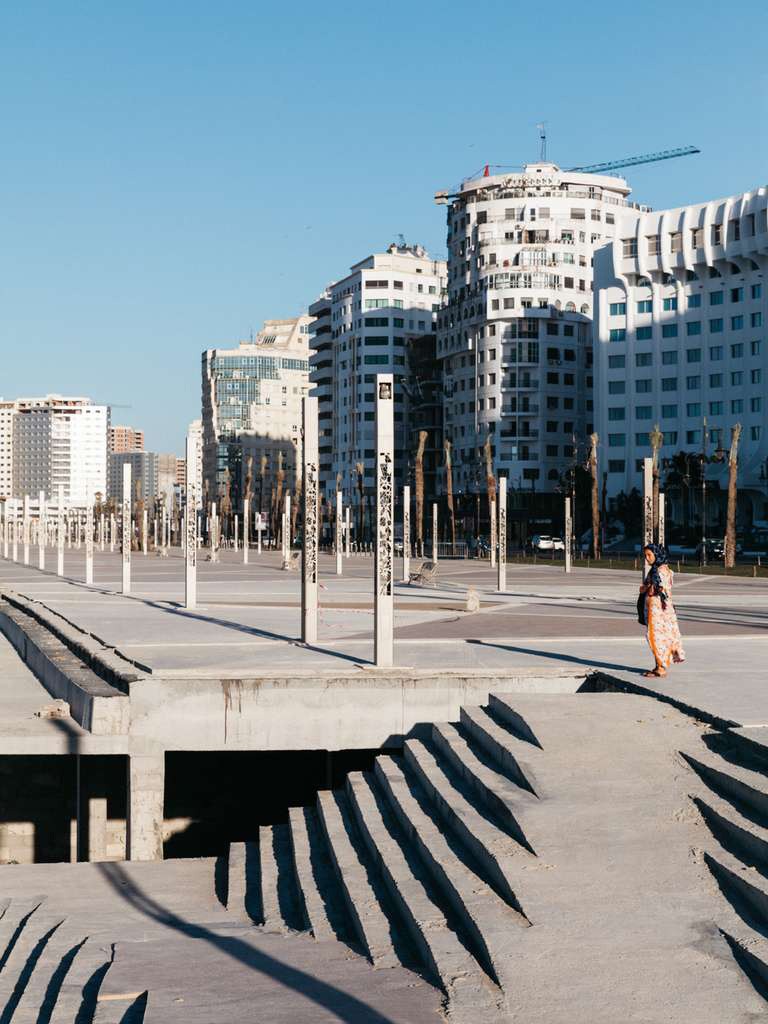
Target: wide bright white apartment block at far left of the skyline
60 441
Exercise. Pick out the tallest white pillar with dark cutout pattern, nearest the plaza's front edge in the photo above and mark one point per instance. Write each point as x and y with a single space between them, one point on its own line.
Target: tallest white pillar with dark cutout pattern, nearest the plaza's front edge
385 551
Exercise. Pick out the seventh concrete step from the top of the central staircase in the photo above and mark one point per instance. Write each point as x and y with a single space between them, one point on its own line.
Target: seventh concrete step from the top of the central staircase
371 924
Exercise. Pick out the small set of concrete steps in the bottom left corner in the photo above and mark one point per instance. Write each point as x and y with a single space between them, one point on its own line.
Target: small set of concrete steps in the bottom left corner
52 972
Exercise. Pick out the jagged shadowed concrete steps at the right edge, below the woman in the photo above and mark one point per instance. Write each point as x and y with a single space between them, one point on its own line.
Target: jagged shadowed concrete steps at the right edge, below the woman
734 766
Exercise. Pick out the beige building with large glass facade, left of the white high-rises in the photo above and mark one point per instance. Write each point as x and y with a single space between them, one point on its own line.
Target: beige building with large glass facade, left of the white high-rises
252 394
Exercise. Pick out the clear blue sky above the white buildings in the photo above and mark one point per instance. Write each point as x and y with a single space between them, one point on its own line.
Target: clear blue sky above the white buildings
174 174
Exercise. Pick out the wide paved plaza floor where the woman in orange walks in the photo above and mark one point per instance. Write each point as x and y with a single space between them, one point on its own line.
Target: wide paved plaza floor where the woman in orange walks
248 622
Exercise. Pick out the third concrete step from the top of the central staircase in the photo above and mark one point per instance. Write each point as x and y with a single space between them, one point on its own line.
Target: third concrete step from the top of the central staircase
505 800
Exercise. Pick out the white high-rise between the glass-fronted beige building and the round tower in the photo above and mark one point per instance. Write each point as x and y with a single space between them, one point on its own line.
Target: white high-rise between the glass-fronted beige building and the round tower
360 329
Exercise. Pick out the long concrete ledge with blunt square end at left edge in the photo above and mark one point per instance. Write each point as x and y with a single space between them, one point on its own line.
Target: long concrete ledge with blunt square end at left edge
95 705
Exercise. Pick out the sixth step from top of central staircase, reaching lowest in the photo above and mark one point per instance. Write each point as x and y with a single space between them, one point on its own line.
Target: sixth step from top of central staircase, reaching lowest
449 962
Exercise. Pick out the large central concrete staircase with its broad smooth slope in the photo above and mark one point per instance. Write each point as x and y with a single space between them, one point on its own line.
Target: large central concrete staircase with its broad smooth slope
521 860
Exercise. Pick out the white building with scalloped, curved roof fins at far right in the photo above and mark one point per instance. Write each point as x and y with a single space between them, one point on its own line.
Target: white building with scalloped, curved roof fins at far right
681 329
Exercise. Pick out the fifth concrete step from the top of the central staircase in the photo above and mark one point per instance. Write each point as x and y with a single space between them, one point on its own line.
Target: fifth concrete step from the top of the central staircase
489 922
